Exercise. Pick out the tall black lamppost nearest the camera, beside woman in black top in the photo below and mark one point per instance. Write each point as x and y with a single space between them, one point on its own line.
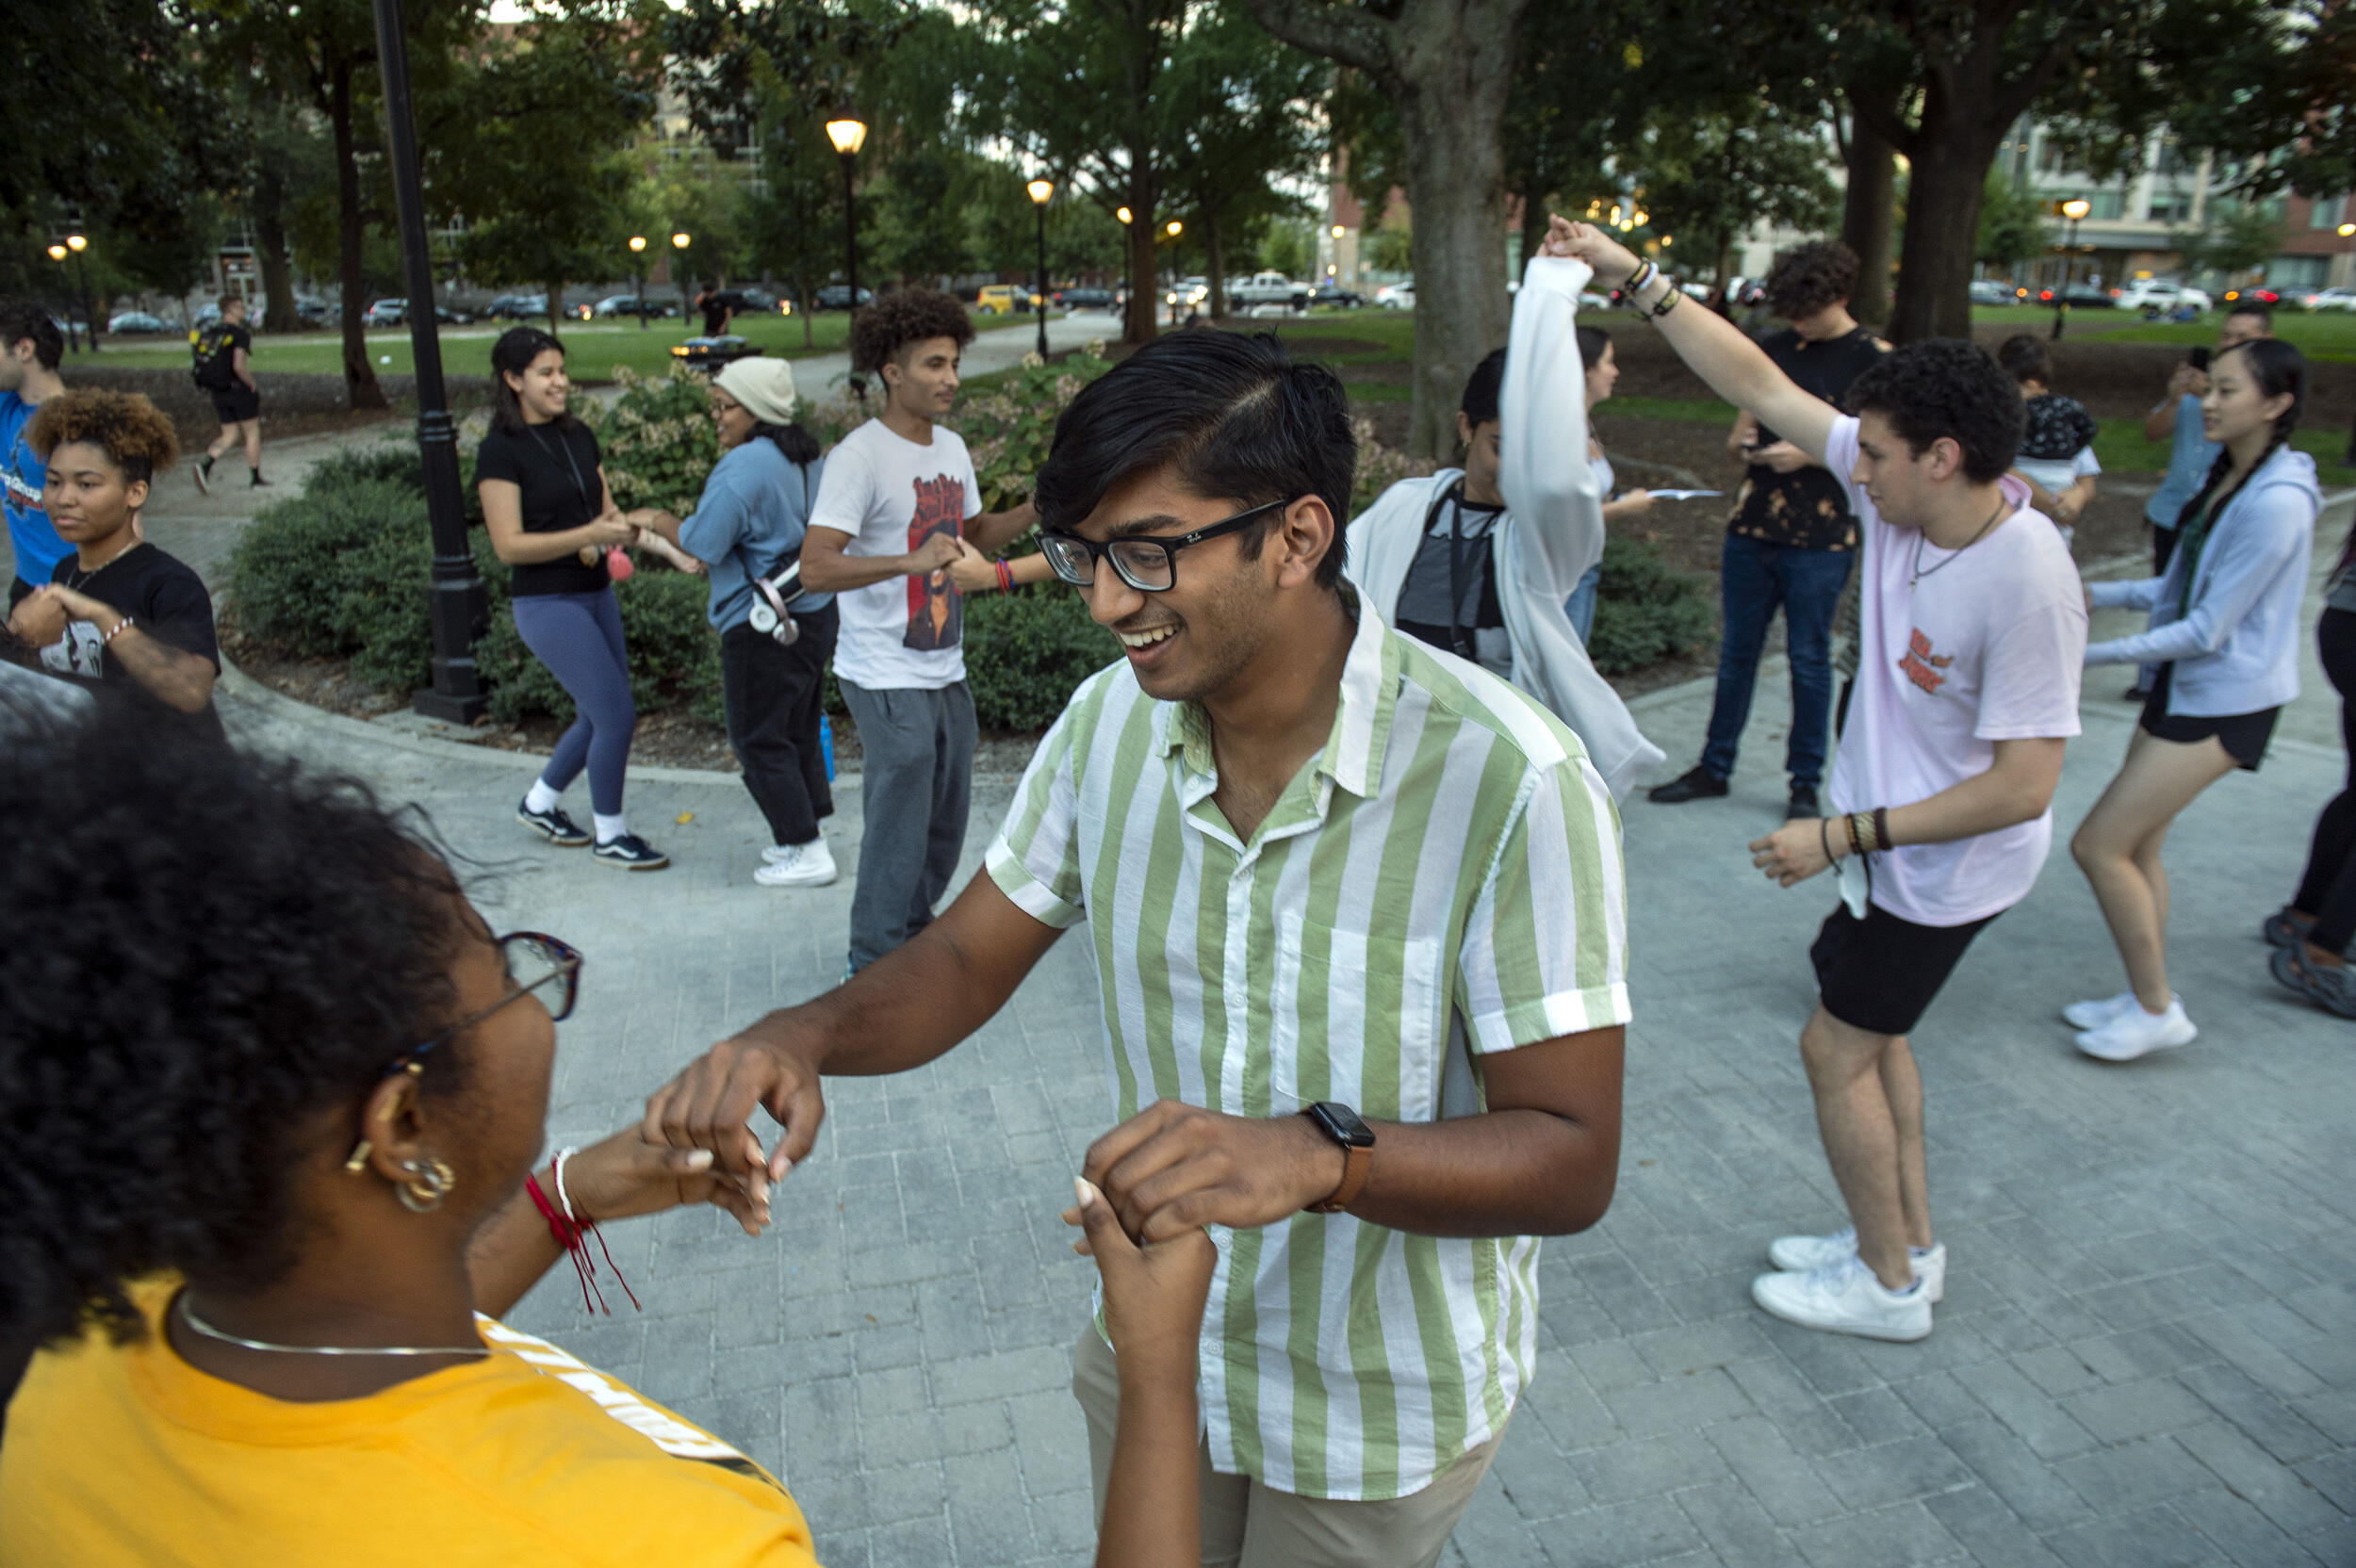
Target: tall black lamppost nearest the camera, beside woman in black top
458 609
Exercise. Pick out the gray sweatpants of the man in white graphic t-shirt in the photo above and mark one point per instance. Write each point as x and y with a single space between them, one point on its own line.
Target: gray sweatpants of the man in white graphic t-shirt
915 795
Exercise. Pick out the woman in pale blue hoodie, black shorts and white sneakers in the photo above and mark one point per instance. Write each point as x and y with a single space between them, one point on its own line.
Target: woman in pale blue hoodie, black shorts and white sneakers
2225 634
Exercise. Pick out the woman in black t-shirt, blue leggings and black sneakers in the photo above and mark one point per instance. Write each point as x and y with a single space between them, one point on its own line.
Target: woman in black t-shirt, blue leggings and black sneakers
548 507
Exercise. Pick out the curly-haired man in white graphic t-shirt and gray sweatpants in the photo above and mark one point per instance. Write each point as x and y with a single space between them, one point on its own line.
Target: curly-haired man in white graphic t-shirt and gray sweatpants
896 510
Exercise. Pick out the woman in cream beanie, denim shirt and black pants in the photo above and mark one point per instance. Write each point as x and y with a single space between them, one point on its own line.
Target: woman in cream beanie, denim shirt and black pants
750 526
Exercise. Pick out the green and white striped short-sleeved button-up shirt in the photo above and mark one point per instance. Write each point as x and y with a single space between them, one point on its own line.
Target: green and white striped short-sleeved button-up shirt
1441 884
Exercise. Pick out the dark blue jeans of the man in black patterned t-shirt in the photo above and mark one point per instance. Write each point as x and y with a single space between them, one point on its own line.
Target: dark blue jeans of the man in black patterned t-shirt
1754 583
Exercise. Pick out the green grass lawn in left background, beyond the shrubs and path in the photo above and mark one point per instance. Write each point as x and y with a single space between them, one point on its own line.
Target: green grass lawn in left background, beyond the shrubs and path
593 347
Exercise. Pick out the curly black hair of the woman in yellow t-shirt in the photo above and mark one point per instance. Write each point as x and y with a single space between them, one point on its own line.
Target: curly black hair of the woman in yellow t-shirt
201 955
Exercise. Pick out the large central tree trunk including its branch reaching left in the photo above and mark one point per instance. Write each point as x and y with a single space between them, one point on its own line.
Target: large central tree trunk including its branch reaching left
1448 65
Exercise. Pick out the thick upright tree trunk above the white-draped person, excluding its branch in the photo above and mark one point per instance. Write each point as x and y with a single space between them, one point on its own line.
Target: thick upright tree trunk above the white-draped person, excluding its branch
1452 84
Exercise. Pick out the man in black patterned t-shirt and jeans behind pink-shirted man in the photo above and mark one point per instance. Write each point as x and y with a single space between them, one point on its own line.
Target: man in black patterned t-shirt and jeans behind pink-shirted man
1792 538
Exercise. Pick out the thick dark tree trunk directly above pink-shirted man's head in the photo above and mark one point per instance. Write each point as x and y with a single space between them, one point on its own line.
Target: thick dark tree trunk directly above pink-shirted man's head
1950 173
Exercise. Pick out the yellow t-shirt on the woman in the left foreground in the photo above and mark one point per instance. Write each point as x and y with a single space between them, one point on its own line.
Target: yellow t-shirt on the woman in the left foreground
128 1456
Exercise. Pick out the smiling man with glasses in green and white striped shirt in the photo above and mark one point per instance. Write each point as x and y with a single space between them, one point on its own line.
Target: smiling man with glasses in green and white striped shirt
1361 938
